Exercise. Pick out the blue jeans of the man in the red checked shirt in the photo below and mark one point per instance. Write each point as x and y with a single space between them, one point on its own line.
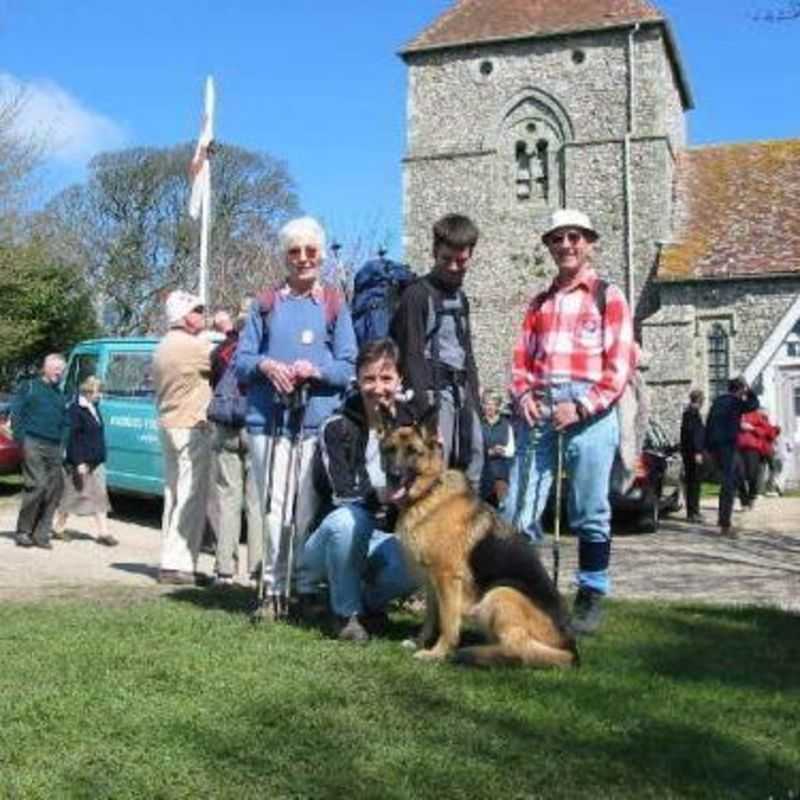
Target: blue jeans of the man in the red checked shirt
588 455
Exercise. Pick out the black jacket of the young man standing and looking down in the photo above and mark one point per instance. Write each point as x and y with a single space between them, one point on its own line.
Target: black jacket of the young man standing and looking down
410 328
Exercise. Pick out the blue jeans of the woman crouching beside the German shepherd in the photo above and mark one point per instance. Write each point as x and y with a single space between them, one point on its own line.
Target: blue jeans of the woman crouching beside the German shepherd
365 568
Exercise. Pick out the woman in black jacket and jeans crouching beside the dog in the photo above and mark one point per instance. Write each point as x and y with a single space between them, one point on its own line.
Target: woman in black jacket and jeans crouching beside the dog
364 566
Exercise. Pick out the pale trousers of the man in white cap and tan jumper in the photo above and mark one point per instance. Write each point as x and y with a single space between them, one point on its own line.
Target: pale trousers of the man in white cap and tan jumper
187 458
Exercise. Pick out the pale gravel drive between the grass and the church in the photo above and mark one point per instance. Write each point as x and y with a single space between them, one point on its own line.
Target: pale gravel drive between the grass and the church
681 562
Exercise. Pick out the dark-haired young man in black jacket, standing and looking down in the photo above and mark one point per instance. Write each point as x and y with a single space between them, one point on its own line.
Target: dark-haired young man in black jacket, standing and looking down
432 329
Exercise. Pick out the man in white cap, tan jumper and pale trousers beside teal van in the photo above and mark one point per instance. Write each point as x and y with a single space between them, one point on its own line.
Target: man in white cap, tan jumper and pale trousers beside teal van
181 370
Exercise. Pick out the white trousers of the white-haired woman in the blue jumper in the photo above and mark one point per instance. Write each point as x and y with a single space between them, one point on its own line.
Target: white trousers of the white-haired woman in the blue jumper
277 523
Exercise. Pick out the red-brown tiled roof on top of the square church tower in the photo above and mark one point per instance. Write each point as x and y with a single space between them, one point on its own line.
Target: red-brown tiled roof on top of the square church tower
470 21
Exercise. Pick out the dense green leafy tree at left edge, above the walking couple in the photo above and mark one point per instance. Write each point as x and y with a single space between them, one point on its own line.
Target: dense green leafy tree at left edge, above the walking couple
46 307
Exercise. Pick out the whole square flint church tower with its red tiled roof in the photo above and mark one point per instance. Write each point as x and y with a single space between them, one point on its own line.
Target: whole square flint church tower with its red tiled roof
519 107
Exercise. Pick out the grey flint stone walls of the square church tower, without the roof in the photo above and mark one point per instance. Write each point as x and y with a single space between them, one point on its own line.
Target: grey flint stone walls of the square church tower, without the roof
456 115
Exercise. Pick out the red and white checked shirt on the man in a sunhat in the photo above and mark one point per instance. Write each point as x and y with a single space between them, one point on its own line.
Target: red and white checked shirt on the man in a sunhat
564 338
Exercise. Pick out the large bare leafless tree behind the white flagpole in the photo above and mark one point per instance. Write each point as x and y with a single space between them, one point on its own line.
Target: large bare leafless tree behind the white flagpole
129 229
